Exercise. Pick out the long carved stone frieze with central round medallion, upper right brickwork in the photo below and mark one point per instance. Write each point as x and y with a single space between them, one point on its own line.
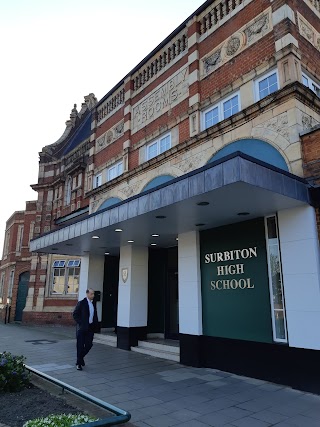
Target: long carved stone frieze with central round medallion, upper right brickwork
241 40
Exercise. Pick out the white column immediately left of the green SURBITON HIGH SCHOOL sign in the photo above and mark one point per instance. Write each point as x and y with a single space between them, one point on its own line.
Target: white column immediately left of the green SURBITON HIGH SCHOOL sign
190 303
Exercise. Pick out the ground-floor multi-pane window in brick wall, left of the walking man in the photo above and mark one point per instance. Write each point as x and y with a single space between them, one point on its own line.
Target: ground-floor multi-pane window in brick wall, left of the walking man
65 277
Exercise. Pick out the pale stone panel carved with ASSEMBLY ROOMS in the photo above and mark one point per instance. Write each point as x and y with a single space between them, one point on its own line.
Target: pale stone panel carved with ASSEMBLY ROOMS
160 100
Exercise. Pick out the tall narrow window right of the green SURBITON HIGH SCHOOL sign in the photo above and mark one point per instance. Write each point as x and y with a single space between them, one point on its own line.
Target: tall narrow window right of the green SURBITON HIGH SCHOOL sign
275 281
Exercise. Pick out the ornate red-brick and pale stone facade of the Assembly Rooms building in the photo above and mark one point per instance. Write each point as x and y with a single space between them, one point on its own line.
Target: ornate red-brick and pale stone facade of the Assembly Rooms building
223 50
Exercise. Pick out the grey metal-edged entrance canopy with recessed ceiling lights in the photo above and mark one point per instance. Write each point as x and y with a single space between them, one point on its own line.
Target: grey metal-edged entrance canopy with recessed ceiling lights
232 189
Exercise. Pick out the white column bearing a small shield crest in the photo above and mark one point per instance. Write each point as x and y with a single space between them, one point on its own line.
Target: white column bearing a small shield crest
133 292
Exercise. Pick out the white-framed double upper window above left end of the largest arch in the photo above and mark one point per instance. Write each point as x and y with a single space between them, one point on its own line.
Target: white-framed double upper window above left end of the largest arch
224 109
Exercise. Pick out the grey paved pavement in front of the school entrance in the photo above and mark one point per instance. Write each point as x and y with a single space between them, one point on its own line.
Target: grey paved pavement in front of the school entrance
161 393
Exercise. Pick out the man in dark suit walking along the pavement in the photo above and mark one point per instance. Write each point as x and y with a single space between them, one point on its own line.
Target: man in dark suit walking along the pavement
85 314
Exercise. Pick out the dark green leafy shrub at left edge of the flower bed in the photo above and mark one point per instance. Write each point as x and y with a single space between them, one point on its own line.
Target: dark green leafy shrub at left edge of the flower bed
13 374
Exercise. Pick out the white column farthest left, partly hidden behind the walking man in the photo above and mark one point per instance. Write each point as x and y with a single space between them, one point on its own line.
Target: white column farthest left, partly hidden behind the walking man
91 276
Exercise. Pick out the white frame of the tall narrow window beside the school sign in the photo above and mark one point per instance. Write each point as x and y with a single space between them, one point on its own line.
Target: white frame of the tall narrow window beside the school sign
275 339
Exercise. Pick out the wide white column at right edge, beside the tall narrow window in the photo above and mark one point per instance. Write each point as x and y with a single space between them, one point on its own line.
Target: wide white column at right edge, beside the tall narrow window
299 245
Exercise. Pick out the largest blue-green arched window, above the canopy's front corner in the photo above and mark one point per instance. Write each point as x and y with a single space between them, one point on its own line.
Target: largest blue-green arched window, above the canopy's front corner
256 148
